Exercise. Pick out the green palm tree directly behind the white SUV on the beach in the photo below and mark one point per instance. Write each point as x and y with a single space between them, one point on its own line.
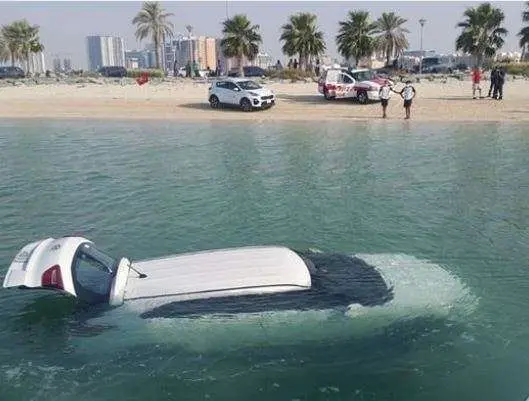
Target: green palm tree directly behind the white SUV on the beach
241 39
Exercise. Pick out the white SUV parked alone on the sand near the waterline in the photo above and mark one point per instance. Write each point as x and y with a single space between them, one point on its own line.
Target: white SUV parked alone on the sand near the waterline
242 92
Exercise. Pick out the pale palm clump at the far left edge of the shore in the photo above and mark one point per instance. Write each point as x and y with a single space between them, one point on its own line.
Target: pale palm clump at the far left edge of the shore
20 38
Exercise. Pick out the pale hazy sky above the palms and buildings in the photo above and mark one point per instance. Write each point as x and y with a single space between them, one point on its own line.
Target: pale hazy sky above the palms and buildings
64 25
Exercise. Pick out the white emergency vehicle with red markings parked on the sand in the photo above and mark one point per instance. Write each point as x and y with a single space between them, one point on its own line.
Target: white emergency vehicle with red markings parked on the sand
360 84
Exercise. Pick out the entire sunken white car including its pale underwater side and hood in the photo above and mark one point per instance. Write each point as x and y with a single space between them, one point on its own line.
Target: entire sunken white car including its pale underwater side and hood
240 295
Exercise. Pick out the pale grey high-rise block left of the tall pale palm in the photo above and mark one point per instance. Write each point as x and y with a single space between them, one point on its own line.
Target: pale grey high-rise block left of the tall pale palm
105 51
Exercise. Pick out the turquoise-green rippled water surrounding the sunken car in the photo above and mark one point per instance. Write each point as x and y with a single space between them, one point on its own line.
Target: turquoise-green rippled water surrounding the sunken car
453 196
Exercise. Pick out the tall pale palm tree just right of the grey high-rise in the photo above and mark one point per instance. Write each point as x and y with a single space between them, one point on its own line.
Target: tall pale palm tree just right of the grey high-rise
154 21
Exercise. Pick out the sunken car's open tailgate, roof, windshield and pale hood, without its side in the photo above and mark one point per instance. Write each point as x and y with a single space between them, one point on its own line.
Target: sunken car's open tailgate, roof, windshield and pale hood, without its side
246 280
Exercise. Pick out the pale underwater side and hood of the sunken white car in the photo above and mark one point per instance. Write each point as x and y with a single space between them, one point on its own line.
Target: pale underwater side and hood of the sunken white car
420 288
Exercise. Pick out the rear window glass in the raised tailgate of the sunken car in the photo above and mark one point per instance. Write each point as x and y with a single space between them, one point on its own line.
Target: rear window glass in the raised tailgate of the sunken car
93 272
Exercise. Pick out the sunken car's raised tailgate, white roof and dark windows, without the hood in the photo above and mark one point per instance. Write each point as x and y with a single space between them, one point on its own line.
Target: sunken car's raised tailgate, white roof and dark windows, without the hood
193 283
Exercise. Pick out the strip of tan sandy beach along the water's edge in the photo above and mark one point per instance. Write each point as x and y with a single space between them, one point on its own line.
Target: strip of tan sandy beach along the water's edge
187 100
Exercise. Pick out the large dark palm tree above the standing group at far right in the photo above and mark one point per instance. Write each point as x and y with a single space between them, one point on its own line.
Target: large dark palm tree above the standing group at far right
482 34
